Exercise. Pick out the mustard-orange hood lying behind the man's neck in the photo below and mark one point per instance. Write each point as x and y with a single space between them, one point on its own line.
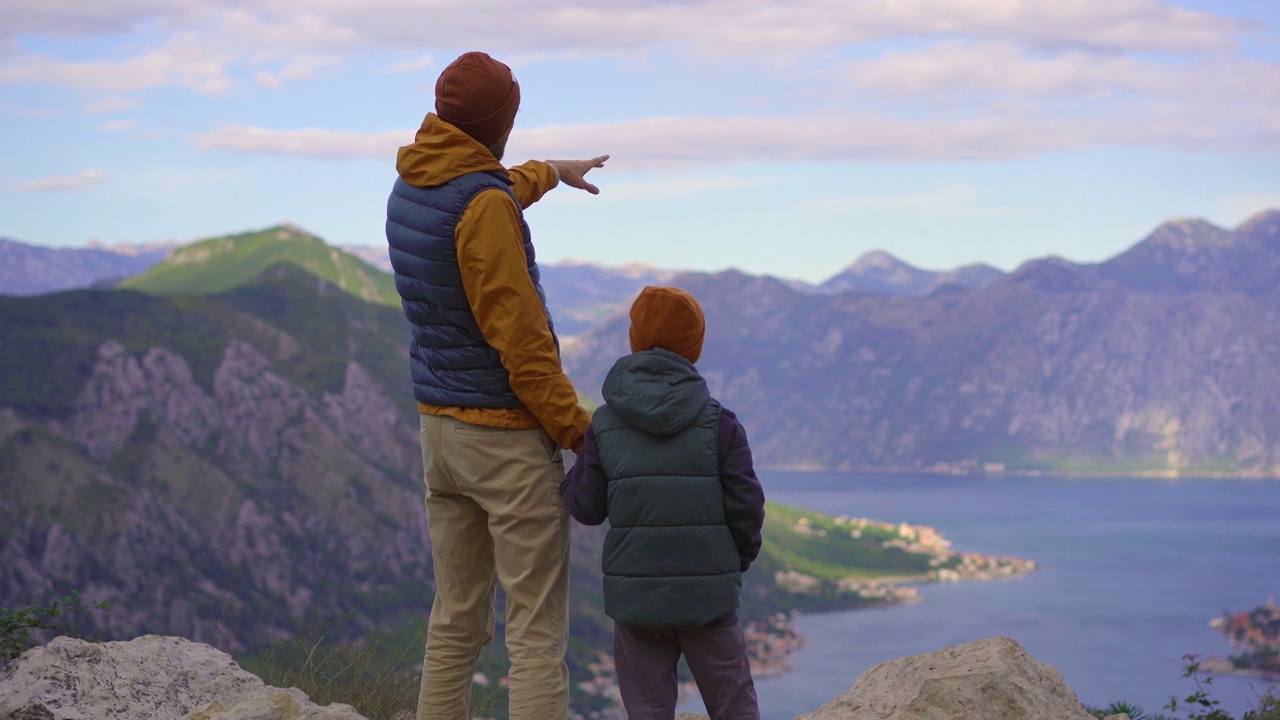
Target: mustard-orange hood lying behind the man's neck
442 153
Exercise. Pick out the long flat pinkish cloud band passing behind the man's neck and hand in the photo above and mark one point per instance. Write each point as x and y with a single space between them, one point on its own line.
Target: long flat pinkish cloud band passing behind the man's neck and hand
684 143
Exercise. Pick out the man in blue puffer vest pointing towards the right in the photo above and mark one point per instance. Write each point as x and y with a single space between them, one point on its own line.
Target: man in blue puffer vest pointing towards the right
496 405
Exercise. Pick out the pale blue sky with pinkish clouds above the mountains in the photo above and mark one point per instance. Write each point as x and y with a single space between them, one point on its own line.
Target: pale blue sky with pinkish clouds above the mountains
783 138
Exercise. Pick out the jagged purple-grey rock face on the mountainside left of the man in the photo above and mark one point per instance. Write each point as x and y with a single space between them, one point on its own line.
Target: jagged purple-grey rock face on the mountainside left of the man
235 511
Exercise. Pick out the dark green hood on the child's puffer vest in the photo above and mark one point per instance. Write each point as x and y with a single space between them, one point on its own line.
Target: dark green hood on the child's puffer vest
656 391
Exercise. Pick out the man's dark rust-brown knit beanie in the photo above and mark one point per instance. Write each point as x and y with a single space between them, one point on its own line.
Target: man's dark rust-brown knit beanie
479 97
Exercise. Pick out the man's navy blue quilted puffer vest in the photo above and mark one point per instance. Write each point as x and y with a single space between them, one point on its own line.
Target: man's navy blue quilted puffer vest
450 361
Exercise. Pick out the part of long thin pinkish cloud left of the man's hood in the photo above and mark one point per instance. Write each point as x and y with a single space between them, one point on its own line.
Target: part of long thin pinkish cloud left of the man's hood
312 143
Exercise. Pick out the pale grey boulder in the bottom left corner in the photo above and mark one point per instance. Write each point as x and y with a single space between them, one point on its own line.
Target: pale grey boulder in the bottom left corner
148 678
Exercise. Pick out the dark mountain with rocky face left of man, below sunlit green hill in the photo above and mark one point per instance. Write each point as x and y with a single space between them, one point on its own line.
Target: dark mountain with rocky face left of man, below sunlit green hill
226 466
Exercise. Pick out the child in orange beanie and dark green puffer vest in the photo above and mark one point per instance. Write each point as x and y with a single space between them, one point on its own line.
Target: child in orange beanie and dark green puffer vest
673 473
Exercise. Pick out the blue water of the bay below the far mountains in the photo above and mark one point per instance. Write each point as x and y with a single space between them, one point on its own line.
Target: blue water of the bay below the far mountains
1132 572
